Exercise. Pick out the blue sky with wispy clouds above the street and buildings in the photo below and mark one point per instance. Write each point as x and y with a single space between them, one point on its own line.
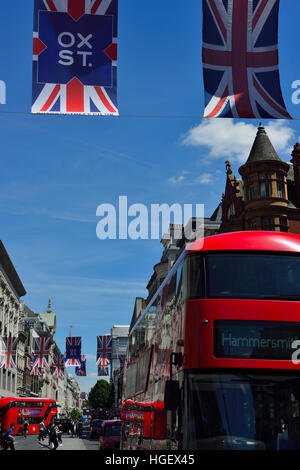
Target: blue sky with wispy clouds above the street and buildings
56 170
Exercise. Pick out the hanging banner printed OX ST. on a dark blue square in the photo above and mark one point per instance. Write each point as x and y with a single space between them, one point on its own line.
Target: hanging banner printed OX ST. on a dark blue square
75 57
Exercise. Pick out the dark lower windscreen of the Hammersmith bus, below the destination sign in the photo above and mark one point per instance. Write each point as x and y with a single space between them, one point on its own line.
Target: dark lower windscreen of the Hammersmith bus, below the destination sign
241 411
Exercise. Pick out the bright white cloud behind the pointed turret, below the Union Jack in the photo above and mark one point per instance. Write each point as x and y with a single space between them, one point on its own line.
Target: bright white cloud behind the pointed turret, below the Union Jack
225 138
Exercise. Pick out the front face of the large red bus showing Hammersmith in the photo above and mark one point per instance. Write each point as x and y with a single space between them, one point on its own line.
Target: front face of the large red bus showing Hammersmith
241 387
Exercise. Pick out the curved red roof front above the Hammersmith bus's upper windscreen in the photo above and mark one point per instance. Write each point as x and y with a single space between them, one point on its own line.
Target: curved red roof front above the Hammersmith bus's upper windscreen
255 240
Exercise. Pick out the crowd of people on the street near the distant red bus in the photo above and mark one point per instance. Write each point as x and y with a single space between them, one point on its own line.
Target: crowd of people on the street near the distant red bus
53 432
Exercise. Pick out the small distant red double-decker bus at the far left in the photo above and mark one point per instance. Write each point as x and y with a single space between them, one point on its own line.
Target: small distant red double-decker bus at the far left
15 410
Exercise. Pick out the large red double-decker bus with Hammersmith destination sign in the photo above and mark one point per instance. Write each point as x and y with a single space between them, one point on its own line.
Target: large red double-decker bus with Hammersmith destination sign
210 360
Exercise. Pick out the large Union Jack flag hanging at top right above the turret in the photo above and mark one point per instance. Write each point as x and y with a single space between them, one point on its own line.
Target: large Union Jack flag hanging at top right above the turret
240 59
